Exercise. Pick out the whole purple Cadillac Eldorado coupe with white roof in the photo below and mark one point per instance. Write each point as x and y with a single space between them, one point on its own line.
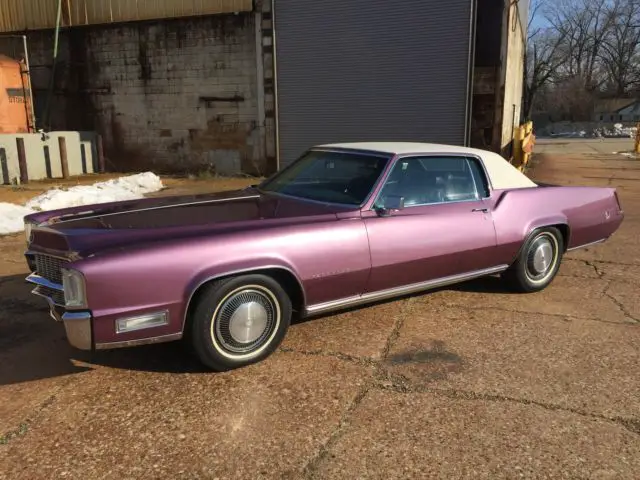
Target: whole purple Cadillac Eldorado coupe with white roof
344 225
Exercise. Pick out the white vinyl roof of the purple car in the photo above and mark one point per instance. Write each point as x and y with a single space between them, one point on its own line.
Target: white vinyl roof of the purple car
503 175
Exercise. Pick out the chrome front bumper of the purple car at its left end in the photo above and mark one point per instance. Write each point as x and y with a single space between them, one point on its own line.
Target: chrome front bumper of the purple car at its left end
78 325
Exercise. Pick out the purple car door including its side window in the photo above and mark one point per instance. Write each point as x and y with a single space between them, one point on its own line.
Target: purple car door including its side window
443 229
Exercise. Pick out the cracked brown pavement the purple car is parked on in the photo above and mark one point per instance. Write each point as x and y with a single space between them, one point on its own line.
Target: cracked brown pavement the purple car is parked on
463 382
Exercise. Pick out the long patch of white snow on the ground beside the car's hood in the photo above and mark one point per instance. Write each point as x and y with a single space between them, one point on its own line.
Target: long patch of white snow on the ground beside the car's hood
124 188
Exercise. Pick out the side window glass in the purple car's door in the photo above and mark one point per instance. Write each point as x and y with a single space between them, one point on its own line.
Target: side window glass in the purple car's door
432 180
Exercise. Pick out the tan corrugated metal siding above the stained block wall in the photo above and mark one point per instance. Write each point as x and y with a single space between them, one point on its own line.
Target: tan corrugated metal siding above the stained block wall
17 15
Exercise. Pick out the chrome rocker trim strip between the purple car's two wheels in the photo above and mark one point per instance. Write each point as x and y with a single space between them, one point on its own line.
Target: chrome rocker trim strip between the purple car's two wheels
398 291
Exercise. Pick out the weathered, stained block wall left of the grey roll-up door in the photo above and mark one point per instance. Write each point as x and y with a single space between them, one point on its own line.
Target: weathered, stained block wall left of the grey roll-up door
172 95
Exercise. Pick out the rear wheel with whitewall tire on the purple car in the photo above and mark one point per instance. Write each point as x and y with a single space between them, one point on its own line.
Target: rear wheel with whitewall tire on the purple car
538 261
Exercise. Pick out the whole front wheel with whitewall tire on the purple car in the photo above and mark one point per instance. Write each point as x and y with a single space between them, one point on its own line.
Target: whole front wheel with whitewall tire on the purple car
239 321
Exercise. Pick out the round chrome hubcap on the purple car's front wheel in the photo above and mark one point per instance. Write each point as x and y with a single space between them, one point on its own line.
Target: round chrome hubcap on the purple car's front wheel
245 320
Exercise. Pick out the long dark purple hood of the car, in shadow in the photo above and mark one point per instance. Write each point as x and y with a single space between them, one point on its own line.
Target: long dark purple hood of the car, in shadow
89 229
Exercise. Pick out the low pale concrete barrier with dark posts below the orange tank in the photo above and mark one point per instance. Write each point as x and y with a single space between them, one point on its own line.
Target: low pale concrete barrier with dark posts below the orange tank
43 155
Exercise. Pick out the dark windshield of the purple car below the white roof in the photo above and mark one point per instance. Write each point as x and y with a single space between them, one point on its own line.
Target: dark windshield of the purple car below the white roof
334 177
